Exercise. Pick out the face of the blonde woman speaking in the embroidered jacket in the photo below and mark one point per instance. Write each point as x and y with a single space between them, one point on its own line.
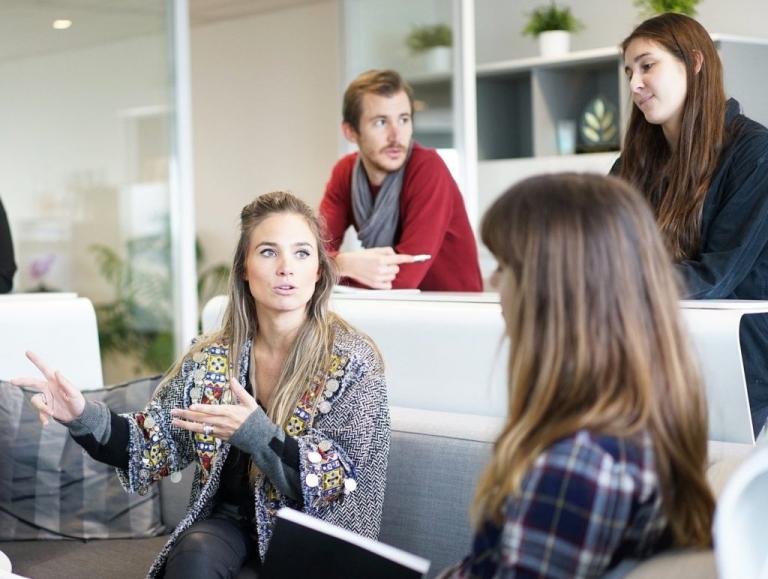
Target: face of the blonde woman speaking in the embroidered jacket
282 265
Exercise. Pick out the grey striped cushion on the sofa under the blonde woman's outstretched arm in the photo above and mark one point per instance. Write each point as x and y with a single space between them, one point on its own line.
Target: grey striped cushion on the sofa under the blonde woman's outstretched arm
49 487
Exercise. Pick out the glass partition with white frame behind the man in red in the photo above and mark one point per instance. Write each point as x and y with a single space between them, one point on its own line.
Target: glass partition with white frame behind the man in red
430 43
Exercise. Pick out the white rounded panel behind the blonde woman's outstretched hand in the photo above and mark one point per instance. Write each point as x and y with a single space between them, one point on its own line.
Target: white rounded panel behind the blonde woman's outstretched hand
61 328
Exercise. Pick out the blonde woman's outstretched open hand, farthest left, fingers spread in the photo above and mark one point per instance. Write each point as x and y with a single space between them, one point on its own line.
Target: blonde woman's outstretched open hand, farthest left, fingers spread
56 396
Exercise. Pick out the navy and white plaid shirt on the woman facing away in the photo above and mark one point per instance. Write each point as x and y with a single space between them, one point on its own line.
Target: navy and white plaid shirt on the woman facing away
588 501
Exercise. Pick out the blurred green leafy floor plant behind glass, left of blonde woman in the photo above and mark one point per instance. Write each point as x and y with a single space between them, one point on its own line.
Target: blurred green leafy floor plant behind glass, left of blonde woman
139 320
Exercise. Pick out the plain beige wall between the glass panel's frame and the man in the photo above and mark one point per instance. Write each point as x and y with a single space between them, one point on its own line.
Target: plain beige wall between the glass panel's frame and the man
266 113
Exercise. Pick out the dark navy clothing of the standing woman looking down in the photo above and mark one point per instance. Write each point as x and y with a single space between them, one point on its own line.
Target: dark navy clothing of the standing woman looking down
733 260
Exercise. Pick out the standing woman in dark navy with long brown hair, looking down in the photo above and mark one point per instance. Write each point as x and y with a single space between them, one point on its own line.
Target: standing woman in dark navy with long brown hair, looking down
703 167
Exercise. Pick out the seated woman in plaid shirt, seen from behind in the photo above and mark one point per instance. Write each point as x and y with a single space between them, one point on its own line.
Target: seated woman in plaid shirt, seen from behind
604 450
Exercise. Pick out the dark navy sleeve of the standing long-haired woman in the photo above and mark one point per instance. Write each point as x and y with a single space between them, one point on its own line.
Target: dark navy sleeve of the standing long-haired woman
735 231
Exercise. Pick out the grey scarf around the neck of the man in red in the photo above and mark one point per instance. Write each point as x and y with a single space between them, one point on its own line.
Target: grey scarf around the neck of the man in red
377 221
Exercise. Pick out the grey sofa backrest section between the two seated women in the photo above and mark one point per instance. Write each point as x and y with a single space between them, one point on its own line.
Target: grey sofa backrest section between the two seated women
435 460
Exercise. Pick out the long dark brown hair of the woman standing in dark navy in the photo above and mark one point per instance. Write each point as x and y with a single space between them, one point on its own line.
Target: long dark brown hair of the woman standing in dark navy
675 180
